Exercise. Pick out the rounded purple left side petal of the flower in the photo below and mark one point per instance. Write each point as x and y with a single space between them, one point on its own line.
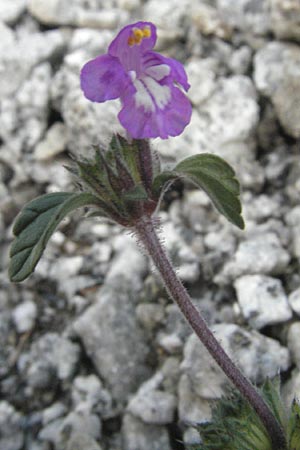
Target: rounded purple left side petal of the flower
103 78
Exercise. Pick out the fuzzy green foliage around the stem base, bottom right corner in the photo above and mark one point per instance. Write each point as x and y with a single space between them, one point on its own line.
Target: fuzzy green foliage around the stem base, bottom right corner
236 426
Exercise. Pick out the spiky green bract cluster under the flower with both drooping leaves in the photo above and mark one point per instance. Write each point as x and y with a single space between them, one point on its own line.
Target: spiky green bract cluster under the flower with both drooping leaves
123 183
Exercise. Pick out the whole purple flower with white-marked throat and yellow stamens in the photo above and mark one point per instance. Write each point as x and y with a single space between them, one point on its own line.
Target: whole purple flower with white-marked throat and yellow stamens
145 82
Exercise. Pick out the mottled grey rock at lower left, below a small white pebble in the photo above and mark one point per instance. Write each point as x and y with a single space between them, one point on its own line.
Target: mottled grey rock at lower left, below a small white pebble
50 356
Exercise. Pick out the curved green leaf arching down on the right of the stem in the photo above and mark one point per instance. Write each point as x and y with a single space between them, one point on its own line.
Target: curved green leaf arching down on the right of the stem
217 178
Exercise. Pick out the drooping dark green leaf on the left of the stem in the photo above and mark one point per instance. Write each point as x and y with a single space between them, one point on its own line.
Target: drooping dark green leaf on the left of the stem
34 226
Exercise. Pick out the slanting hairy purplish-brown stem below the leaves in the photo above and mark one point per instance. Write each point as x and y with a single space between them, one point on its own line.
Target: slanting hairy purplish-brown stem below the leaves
146 233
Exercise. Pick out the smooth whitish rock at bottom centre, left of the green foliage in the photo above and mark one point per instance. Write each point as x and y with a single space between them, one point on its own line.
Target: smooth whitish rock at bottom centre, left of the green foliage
153 406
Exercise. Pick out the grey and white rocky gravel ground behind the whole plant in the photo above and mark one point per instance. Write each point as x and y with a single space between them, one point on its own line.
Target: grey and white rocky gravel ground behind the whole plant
93 354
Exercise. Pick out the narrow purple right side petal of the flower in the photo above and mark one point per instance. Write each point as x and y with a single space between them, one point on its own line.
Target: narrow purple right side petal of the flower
177 71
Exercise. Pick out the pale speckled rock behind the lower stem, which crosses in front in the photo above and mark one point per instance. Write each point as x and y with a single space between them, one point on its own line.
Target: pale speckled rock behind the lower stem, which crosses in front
257 356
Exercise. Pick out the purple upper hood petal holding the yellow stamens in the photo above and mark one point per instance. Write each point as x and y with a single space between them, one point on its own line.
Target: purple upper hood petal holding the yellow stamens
132 42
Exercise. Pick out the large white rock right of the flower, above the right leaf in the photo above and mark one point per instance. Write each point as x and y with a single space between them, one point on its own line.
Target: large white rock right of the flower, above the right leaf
223 124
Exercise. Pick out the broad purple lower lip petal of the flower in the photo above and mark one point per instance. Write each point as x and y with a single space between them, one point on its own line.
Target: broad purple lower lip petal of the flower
158 122
